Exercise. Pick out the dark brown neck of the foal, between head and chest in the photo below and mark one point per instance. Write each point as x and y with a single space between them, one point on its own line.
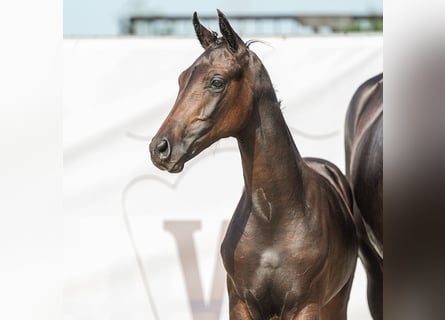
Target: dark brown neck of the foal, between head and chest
272 166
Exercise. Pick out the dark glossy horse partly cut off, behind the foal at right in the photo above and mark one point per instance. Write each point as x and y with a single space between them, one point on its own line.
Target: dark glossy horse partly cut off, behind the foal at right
364 169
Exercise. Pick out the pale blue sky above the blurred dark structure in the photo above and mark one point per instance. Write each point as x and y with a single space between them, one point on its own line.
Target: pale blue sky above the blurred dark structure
101 17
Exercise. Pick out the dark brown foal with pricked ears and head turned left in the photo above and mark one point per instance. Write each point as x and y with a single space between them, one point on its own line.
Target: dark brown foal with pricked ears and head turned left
290 249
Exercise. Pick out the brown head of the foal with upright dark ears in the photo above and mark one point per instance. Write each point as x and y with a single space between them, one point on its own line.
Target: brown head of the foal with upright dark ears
214 99
